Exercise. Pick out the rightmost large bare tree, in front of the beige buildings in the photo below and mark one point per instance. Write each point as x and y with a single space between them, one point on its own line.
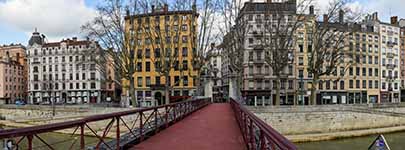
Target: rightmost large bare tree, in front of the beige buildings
329 43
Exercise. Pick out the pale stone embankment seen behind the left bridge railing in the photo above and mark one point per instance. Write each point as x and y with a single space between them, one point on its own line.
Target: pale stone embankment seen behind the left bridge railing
33 115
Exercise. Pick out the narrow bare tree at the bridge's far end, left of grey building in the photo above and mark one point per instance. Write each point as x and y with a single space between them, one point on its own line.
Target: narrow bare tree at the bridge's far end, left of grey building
234 30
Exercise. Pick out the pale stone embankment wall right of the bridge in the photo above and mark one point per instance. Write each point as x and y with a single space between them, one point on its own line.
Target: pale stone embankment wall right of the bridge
330 122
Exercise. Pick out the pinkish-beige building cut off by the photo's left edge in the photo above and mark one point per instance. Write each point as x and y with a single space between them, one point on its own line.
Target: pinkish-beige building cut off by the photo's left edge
13 73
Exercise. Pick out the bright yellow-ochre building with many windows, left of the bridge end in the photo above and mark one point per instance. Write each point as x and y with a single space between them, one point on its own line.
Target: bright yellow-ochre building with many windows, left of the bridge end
163 39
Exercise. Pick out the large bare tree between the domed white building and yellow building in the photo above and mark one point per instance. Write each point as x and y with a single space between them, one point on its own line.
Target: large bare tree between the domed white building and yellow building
118 39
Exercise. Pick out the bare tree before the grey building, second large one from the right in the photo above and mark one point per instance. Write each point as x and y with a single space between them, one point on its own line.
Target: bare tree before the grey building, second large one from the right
278 37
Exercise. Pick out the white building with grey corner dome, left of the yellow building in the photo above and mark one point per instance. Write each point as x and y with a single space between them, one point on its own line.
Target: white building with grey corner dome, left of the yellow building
60 72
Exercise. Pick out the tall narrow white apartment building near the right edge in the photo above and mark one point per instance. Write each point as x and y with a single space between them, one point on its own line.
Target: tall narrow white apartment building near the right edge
389 34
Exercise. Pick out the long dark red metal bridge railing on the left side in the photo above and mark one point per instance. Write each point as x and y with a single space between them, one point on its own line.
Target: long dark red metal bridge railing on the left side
147 120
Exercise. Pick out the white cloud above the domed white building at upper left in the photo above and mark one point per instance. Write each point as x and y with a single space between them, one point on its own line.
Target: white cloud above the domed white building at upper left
54 18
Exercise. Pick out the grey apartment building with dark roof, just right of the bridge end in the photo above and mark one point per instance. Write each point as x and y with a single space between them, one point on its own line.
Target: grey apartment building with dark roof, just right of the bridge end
259 81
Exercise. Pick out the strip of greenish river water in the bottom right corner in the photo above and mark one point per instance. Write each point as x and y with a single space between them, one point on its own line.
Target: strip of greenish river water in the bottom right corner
396 141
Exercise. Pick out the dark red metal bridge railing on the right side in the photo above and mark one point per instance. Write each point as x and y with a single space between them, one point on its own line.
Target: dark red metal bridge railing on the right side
257 134
